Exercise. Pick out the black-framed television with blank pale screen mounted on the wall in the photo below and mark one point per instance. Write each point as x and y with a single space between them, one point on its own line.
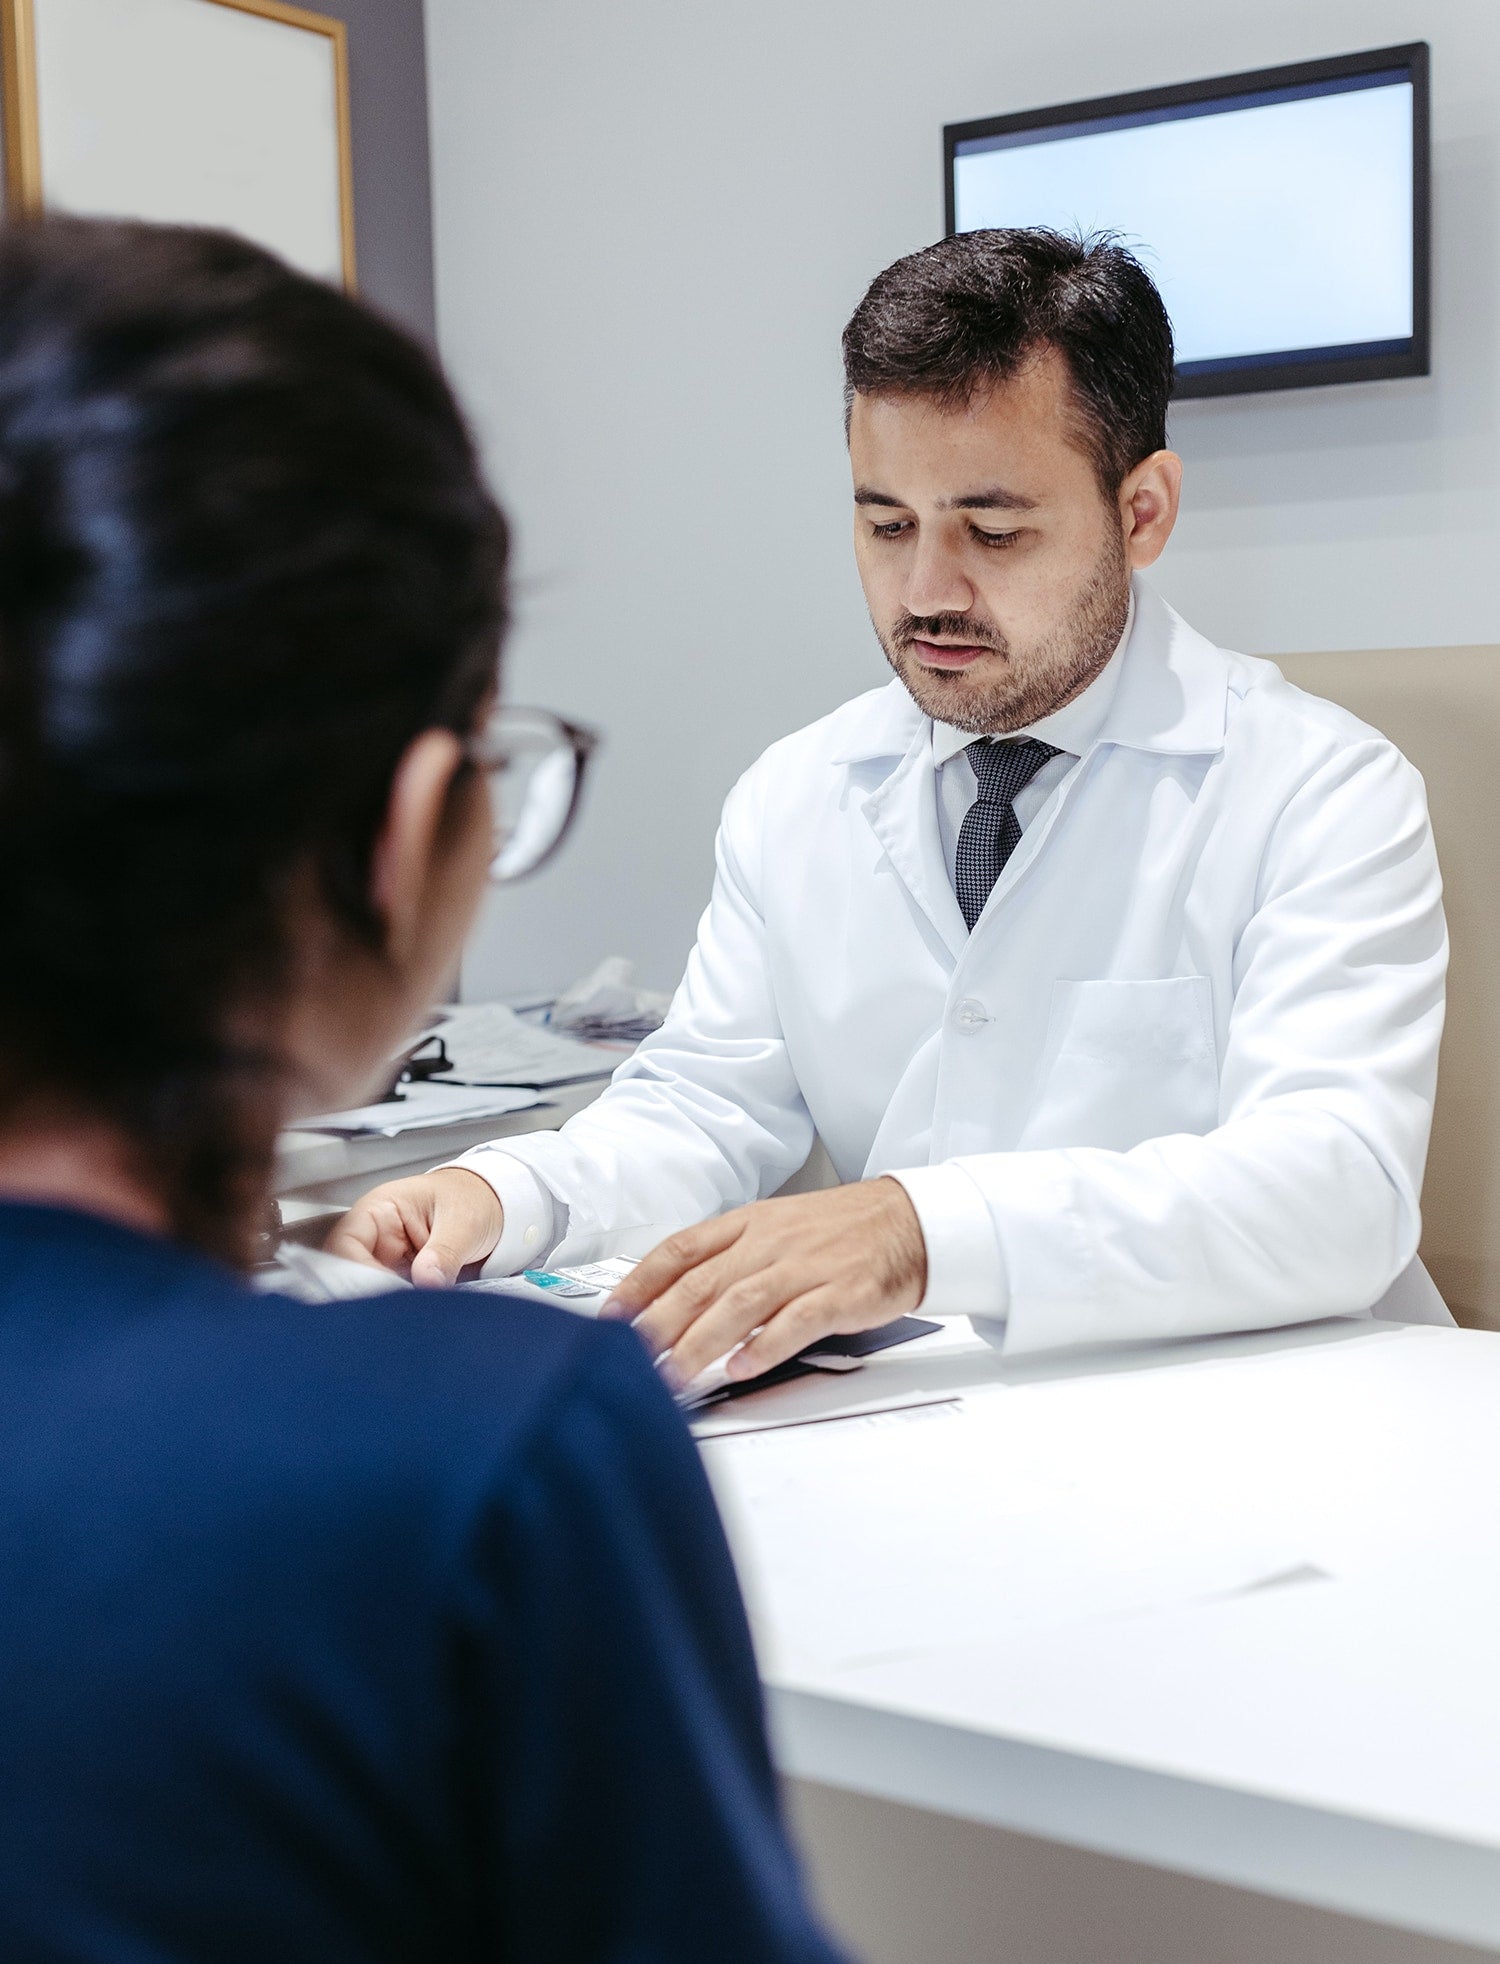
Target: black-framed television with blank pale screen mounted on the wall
1283 213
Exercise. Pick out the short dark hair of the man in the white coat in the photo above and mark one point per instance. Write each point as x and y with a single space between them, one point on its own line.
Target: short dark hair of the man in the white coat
969 311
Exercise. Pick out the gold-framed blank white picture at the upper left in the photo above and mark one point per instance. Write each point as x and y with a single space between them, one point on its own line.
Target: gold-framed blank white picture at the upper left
231 113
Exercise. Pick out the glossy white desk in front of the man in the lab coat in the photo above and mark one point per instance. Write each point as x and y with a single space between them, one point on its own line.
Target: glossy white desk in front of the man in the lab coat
1226 1608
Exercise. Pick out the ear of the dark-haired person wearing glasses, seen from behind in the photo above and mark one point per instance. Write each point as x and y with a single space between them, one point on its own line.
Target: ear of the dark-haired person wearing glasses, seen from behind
419 844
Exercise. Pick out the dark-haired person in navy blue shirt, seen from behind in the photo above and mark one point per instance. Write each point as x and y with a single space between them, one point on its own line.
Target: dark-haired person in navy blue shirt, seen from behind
327 1633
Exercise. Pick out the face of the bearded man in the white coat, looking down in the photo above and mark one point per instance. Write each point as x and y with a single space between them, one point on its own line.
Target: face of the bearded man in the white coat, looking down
994 567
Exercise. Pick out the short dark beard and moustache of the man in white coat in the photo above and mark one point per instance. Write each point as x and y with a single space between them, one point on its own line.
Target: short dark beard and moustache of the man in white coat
1032 686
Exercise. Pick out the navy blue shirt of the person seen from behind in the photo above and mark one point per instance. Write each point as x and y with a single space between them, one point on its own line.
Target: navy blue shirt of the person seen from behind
364 1631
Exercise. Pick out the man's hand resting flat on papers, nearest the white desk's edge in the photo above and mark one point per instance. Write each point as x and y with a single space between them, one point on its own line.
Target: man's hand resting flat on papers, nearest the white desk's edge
780 1274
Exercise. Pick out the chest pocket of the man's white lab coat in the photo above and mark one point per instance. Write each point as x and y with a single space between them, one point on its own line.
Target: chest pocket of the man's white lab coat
1126 1062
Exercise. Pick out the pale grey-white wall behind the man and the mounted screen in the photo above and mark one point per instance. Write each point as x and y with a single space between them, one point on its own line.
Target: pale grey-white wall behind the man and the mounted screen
653 221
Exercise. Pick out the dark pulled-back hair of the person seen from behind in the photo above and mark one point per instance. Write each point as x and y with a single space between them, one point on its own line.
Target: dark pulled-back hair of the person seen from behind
246 555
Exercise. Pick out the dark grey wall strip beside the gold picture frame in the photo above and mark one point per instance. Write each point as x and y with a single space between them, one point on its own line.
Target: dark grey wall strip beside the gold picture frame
392 178
